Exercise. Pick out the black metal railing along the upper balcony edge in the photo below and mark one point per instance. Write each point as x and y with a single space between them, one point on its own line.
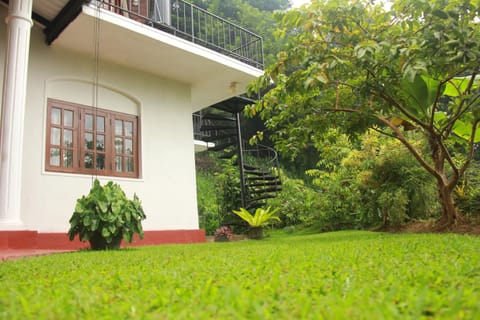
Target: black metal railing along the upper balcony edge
192 23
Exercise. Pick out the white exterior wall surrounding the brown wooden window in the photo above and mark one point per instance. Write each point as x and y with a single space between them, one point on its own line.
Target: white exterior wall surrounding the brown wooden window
167 184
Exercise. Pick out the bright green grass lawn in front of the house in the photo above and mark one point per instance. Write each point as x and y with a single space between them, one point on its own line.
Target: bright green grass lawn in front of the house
341 275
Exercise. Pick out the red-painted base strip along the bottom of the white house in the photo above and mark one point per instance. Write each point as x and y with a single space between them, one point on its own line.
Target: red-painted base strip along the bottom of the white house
59 241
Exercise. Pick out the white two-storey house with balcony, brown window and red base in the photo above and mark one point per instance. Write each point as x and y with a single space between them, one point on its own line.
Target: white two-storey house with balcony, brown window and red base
107 89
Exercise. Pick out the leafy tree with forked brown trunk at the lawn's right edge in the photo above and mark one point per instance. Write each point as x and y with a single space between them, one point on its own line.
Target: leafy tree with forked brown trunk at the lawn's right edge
355 65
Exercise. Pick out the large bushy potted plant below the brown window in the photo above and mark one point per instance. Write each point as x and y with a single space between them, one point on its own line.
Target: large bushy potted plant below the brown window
106 216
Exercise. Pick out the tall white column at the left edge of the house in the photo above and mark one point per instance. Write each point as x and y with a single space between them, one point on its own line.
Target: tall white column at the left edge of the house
19 23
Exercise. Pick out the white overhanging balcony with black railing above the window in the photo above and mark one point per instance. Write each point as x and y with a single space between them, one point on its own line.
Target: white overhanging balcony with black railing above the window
213 57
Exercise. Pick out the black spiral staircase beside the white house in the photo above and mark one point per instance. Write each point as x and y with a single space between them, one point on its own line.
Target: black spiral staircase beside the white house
220 126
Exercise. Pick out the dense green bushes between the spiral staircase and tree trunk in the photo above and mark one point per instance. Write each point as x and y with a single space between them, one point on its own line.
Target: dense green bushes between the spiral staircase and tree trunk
356 178
